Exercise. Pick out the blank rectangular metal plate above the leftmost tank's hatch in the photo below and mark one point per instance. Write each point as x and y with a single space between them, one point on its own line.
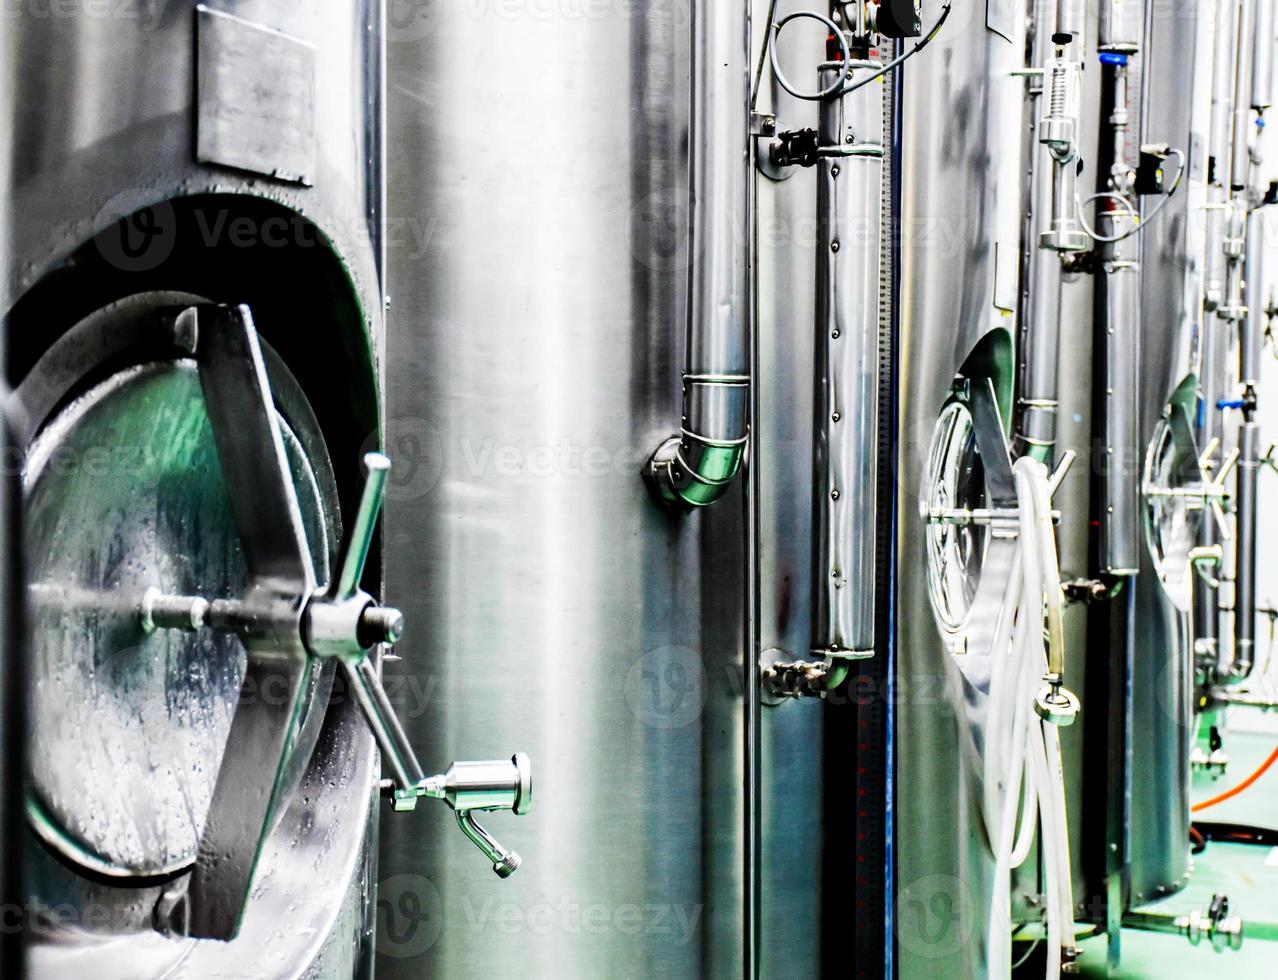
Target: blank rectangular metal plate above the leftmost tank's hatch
256 99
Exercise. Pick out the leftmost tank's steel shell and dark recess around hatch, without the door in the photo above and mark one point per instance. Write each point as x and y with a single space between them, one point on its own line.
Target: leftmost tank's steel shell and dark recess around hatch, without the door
107 114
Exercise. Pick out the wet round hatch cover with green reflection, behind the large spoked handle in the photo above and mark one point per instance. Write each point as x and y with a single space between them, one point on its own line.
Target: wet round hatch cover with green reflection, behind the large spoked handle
125 494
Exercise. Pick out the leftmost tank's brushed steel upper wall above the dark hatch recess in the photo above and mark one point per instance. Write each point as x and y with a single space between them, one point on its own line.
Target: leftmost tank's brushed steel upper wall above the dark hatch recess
107 109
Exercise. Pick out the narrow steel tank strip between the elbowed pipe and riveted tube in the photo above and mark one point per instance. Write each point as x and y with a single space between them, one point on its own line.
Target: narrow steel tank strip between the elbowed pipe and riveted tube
792 748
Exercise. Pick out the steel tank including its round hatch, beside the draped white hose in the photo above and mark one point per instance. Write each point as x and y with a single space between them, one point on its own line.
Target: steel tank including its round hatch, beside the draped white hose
960 255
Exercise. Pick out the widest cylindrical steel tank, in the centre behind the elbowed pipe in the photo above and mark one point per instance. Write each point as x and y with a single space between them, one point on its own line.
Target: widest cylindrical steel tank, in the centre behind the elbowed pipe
540 181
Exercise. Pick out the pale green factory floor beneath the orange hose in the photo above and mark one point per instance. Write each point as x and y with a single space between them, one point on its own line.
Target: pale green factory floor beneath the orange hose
1247 873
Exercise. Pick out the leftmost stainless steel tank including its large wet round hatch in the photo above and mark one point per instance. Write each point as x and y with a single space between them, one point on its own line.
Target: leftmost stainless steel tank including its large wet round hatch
181 159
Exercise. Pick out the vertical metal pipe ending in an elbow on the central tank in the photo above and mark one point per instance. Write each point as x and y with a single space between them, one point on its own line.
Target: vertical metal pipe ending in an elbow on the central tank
697 467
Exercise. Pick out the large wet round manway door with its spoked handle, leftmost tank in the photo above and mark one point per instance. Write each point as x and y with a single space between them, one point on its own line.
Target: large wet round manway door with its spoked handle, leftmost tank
185 648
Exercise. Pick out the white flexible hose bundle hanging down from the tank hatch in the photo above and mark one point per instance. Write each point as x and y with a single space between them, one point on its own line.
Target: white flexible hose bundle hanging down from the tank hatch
1024 779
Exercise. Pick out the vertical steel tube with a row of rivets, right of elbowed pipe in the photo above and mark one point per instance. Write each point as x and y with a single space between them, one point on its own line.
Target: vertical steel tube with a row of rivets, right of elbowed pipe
845 449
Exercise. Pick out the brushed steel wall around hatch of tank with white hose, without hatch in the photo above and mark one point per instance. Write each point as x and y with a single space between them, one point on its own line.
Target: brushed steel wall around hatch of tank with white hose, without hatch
960 215
